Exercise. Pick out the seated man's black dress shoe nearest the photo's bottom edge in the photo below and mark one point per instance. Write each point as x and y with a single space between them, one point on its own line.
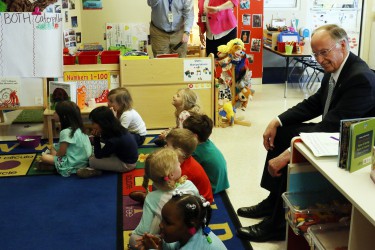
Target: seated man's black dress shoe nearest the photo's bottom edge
262 232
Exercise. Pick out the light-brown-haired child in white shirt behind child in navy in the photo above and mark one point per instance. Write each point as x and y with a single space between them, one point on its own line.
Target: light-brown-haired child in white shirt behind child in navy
121 102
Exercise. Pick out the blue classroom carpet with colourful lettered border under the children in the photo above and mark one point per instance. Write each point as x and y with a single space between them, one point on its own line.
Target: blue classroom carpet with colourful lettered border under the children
40 209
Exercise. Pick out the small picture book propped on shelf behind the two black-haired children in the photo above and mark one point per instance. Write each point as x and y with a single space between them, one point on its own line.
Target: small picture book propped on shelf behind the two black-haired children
61 91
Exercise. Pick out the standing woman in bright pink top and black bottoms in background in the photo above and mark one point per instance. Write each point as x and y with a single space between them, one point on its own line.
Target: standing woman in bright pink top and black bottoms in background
217 20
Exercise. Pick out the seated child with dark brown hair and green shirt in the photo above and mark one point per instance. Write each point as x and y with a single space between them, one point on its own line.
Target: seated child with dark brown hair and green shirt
206 153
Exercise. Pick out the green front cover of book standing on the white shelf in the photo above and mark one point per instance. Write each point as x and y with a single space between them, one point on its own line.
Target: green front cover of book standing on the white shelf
361 145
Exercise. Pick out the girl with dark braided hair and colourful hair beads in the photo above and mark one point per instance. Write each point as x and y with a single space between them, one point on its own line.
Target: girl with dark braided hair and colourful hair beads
184 225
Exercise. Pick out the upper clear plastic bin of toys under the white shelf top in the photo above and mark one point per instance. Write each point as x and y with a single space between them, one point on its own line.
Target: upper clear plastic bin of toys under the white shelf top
306 209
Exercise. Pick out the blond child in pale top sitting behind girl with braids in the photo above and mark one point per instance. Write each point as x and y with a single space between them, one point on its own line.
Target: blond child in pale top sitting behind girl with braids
163 168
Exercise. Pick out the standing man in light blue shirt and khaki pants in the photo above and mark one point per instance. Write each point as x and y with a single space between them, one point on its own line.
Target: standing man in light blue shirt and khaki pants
171 23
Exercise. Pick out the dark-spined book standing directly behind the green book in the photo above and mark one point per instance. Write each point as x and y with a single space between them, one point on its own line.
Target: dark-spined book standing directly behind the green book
344 140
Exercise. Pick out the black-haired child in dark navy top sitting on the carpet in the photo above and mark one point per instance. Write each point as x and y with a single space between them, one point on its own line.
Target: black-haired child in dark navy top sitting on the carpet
120 151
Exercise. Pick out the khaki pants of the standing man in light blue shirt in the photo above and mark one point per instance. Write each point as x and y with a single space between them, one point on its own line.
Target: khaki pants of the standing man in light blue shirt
163 43
